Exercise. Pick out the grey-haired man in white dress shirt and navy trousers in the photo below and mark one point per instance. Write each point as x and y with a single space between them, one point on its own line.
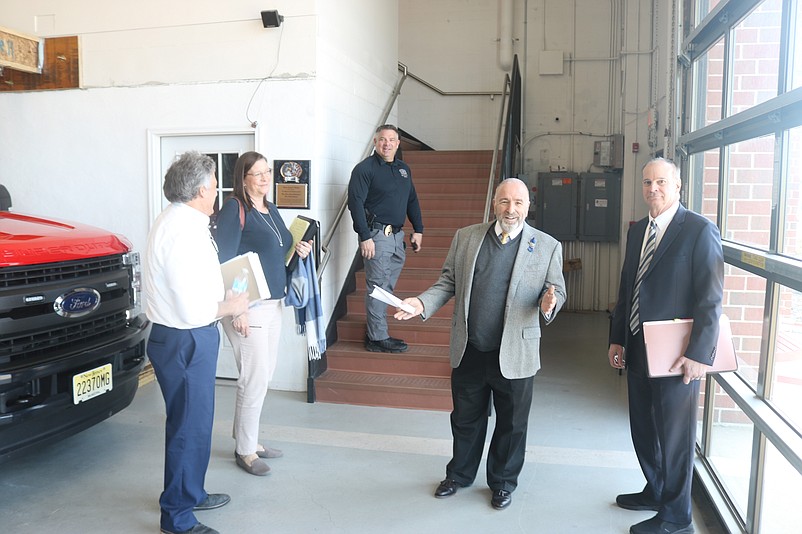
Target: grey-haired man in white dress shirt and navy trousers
185 298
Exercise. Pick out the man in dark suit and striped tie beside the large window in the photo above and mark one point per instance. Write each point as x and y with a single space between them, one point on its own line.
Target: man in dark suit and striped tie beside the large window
673 268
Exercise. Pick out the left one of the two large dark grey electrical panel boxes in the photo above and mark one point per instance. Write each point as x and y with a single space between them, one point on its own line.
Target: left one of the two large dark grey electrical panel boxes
557 204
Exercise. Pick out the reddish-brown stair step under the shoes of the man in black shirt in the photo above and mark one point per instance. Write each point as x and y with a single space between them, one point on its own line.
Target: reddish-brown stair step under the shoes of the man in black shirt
419 360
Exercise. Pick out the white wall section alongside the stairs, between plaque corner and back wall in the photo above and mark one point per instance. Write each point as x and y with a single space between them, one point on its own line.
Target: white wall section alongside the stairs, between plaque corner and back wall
357 69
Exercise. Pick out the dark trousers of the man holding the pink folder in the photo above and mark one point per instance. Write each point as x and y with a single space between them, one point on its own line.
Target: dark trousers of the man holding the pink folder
662 420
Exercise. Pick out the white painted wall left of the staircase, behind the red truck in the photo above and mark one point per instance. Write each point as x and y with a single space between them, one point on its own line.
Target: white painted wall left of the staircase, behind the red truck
196 66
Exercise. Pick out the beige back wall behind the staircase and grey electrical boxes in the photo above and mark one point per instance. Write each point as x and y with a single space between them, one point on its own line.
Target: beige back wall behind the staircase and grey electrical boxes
605 88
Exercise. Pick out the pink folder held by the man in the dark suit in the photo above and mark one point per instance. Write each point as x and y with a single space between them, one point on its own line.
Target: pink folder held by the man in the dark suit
666 341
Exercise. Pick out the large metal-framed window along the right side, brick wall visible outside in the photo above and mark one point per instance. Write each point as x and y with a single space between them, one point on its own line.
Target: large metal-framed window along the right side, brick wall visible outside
742 146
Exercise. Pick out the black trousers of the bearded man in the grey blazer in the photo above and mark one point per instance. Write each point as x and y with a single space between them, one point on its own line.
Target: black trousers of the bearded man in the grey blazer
471 385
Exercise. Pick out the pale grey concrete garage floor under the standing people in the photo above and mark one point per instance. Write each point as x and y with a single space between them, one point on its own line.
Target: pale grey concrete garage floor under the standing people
354 469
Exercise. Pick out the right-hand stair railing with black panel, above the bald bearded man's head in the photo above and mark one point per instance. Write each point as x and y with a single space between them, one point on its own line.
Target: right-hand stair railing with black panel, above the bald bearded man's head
510 139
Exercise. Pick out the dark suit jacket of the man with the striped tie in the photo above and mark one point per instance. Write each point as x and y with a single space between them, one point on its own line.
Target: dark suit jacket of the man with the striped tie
684 281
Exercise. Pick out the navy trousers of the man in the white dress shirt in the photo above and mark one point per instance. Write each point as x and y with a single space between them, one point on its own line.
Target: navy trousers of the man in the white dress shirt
185 362
